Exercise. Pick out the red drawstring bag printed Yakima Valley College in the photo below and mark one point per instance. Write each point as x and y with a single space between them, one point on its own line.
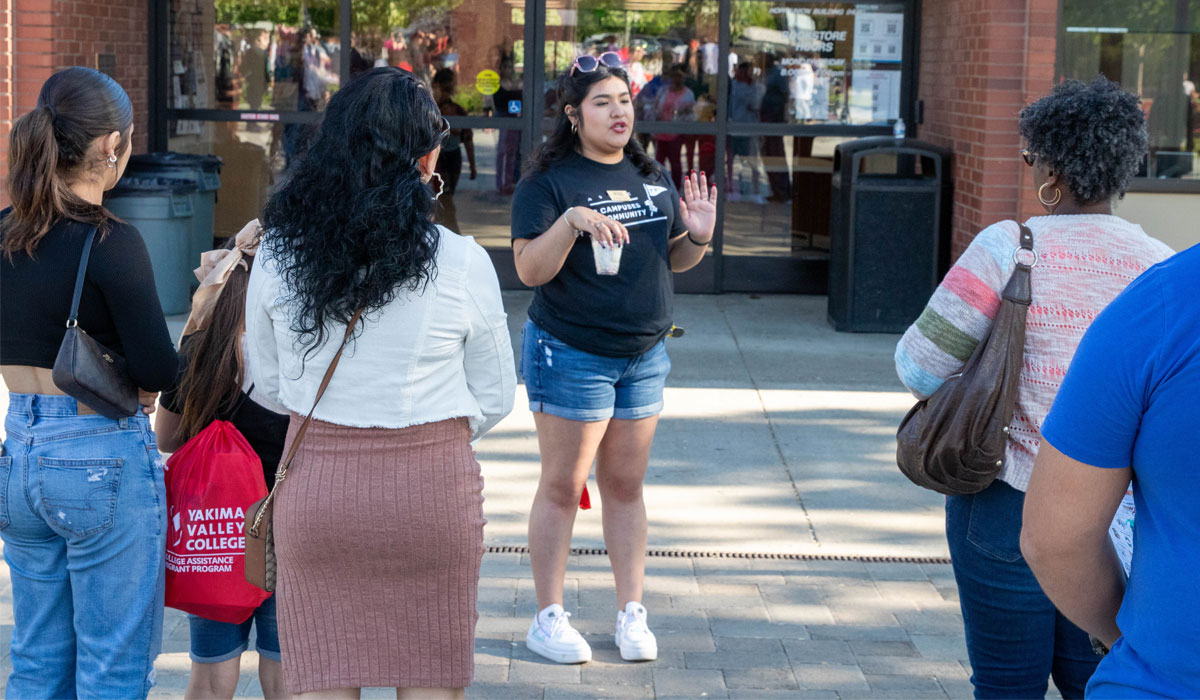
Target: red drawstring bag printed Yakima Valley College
211 483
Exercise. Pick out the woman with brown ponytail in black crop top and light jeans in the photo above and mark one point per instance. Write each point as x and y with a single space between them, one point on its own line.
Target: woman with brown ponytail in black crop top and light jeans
82 510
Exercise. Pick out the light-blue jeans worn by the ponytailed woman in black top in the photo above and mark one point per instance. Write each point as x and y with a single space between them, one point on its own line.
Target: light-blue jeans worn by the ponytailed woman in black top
83 518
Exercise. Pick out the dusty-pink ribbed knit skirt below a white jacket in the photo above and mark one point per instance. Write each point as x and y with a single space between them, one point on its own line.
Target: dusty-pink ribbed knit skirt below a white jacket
380 537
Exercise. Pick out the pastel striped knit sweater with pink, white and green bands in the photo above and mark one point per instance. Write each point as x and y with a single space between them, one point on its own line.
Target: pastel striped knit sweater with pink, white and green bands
1085 261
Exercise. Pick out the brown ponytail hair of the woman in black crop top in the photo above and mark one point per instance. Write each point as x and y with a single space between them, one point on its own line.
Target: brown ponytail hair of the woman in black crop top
51 147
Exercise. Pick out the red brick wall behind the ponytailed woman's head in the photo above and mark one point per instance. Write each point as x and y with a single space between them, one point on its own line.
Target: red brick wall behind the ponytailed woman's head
41 37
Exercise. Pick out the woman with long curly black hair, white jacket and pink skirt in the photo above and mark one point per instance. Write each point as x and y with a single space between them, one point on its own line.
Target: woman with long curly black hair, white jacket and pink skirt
379 528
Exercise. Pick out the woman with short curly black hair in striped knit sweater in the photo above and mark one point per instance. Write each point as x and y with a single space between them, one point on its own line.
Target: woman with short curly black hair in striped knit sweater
1084 142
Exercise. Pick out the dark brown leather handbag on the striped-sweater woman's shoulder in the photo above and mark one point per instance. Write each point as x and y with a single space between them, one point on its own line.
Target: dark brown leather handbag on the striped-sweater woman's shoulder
955 442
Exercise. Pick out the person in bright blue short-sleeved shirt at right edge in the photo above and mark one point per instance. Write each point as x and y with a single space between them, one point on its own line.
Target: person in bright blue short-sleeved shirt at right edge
1127 411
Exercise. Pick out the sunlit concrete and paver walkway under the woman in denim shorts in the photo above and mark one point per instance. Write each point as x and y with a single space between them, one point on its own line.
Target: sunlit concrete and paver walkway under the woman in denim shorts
777 447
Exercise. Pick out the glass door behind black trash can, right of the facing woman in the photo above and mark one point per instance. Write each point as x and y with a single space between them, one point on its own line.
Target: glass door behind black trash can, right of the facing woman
803 77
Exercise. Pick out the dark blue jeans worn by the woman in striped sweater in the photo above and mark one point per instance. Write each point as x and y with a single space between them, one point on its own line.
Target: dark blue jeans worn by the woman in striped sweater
1016 637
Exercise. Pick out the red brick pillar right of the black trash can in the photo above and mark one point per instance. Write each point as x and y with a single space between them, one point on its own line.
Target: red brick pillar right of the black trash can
981 62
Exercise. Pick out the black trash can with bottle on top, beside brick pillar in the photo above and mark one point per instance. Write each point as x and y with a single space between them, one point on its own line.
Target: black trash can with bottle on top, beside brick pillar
890 232
